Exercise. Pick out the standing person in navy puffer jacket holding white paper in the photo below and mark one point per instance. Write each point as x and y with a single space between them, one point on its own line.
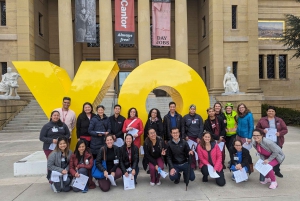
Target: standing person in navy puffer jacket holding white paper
99 127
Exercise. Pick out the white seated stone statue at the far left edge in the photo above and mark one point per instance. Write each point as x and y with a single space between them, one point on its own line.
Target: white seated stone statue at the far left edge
9 84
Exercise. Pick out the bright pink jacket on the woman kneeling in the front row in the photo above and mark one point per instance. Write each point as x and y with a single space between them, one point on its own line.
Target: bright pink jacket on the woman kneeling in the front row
216 156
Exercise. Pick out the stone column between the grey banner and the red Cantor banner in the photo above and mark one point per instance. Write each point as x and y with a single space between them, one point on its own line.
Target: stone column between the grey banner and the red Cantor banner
106 36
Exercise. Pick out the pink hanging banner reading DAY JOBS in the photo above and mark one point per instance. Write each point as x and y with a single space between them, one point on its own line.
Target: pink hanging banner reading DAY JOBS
161 20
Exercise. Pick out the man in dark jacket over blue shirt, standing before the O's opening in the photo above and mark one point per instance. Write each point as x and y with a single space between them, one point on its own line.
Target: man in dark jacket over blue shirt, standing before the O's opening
172 120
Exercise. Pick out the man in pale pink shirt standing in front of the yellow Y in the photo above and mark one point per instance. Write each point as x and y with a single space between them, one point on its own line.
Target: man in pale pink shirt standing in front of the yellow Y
67 115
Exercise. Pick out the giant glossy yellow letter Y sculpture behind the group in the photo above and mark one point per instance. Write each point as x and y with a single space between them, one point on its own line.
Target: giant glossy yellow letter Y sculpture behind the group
49 84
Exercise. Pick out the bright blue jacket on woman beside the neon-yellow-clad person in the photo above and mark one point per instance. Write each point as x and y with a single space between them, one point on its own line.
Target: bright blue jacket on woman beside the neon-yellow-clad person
245 126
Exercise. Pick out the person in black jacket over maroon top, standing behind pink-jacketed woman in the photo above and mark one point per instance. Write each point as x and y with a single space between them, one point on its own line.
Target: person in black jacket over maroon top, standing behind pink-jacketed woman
216 127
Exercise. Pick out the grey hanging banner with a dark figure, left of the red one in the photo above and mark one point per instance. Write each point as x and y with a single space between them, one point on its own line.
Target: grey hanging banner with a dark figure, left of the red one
85 21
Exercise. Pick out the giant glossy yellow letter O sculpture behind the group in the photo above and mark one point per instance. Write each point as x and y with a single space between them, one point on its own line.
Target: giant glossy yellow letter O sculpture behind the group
179 80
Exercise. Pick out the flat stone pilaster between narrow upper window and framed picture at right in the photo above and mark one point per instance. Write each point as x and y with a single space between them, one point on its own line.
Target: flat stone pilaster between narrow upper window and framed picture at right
253 71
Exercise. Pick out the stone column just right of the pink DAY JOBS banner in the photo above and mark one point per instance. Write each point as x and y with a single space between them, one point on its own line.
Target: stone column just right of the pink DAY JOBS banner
181 35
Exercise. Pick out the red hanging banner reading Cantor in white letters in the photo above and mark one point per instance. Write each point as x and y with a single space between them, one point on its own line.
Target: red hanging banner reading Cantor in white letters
124 22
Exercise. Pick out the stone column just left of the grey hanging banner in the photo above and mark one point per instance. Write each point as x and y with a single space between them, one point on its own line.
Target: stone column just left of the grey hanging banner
66 45
